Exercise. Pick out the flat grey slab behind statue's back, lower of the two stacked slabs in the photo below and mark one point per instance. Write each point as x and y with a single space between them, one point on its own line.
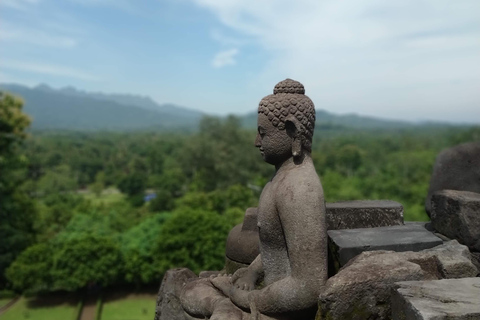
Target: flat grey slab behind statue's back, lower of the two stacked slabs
348 243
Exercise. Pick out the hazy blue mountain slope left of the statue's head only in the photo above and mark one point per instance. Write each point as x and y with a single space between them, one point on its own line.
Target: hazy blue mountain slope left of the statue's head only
70 109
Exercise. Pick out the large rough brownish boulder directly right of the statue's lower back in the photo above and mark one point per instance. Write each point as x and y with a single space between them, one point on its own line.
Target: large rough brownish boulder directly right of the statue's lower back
362 289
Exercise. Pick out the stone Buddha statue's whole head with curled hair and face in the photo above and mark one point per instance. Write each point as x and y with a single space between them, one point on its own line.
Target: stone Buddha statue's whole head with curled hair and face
286 120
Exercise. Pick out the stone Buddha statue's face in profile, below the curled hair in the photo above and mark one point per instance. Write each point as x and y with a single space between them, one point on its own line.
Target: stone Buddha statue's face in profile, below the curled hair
275 145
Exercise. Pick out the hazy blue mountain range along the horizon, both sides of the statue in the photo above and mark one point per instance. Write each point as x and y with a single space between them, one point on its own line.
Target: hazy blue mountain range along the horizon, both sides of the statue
72 109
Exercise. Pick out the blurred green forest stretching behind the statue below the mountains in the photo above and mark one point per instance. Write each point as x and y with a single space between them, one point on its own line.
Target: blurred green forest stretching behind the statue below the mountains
120 208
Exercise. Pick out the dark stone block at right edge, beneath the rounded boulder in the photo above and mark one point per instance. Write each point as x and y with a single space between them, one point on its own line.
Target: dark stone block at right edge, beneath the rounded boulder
456 214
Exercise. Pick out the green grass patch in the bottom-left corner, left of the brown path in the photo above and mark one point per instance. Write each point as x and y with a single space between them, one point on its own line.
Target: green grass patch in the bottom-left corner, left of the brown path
38 309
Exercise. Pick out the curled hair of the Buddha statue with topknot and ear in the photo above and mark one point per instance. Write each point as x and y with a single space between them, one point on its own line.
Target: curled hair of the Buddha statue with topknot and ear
288 103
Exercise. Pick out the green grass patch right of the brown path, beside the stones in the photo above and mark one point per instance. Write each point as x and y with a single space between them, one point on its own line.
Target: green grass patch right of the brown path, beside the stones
131 307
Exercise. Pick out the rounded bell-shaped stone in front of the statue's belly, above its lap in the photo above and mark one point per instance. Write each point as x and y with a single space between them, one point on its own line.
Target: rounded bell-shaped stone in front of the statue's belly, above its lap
242 241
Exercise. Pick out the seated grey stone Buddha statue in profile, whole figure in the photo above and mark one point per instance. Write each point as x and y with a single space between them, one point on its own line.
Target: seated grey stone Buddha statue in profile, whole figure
286 278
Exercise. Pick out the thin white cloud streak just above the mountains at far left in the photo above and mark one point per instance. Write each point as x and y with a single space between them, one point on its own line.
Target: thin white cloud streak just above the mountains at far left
48 69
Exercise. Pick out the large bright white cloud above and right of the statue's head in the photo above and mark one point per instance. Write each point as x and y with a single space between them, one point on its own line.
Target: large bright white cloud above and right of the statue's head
397 58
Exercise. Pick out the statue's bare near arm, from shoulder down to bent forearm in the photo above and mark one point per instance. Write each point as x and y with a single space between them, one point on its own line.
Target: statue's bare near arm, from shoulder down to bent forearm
301 208
